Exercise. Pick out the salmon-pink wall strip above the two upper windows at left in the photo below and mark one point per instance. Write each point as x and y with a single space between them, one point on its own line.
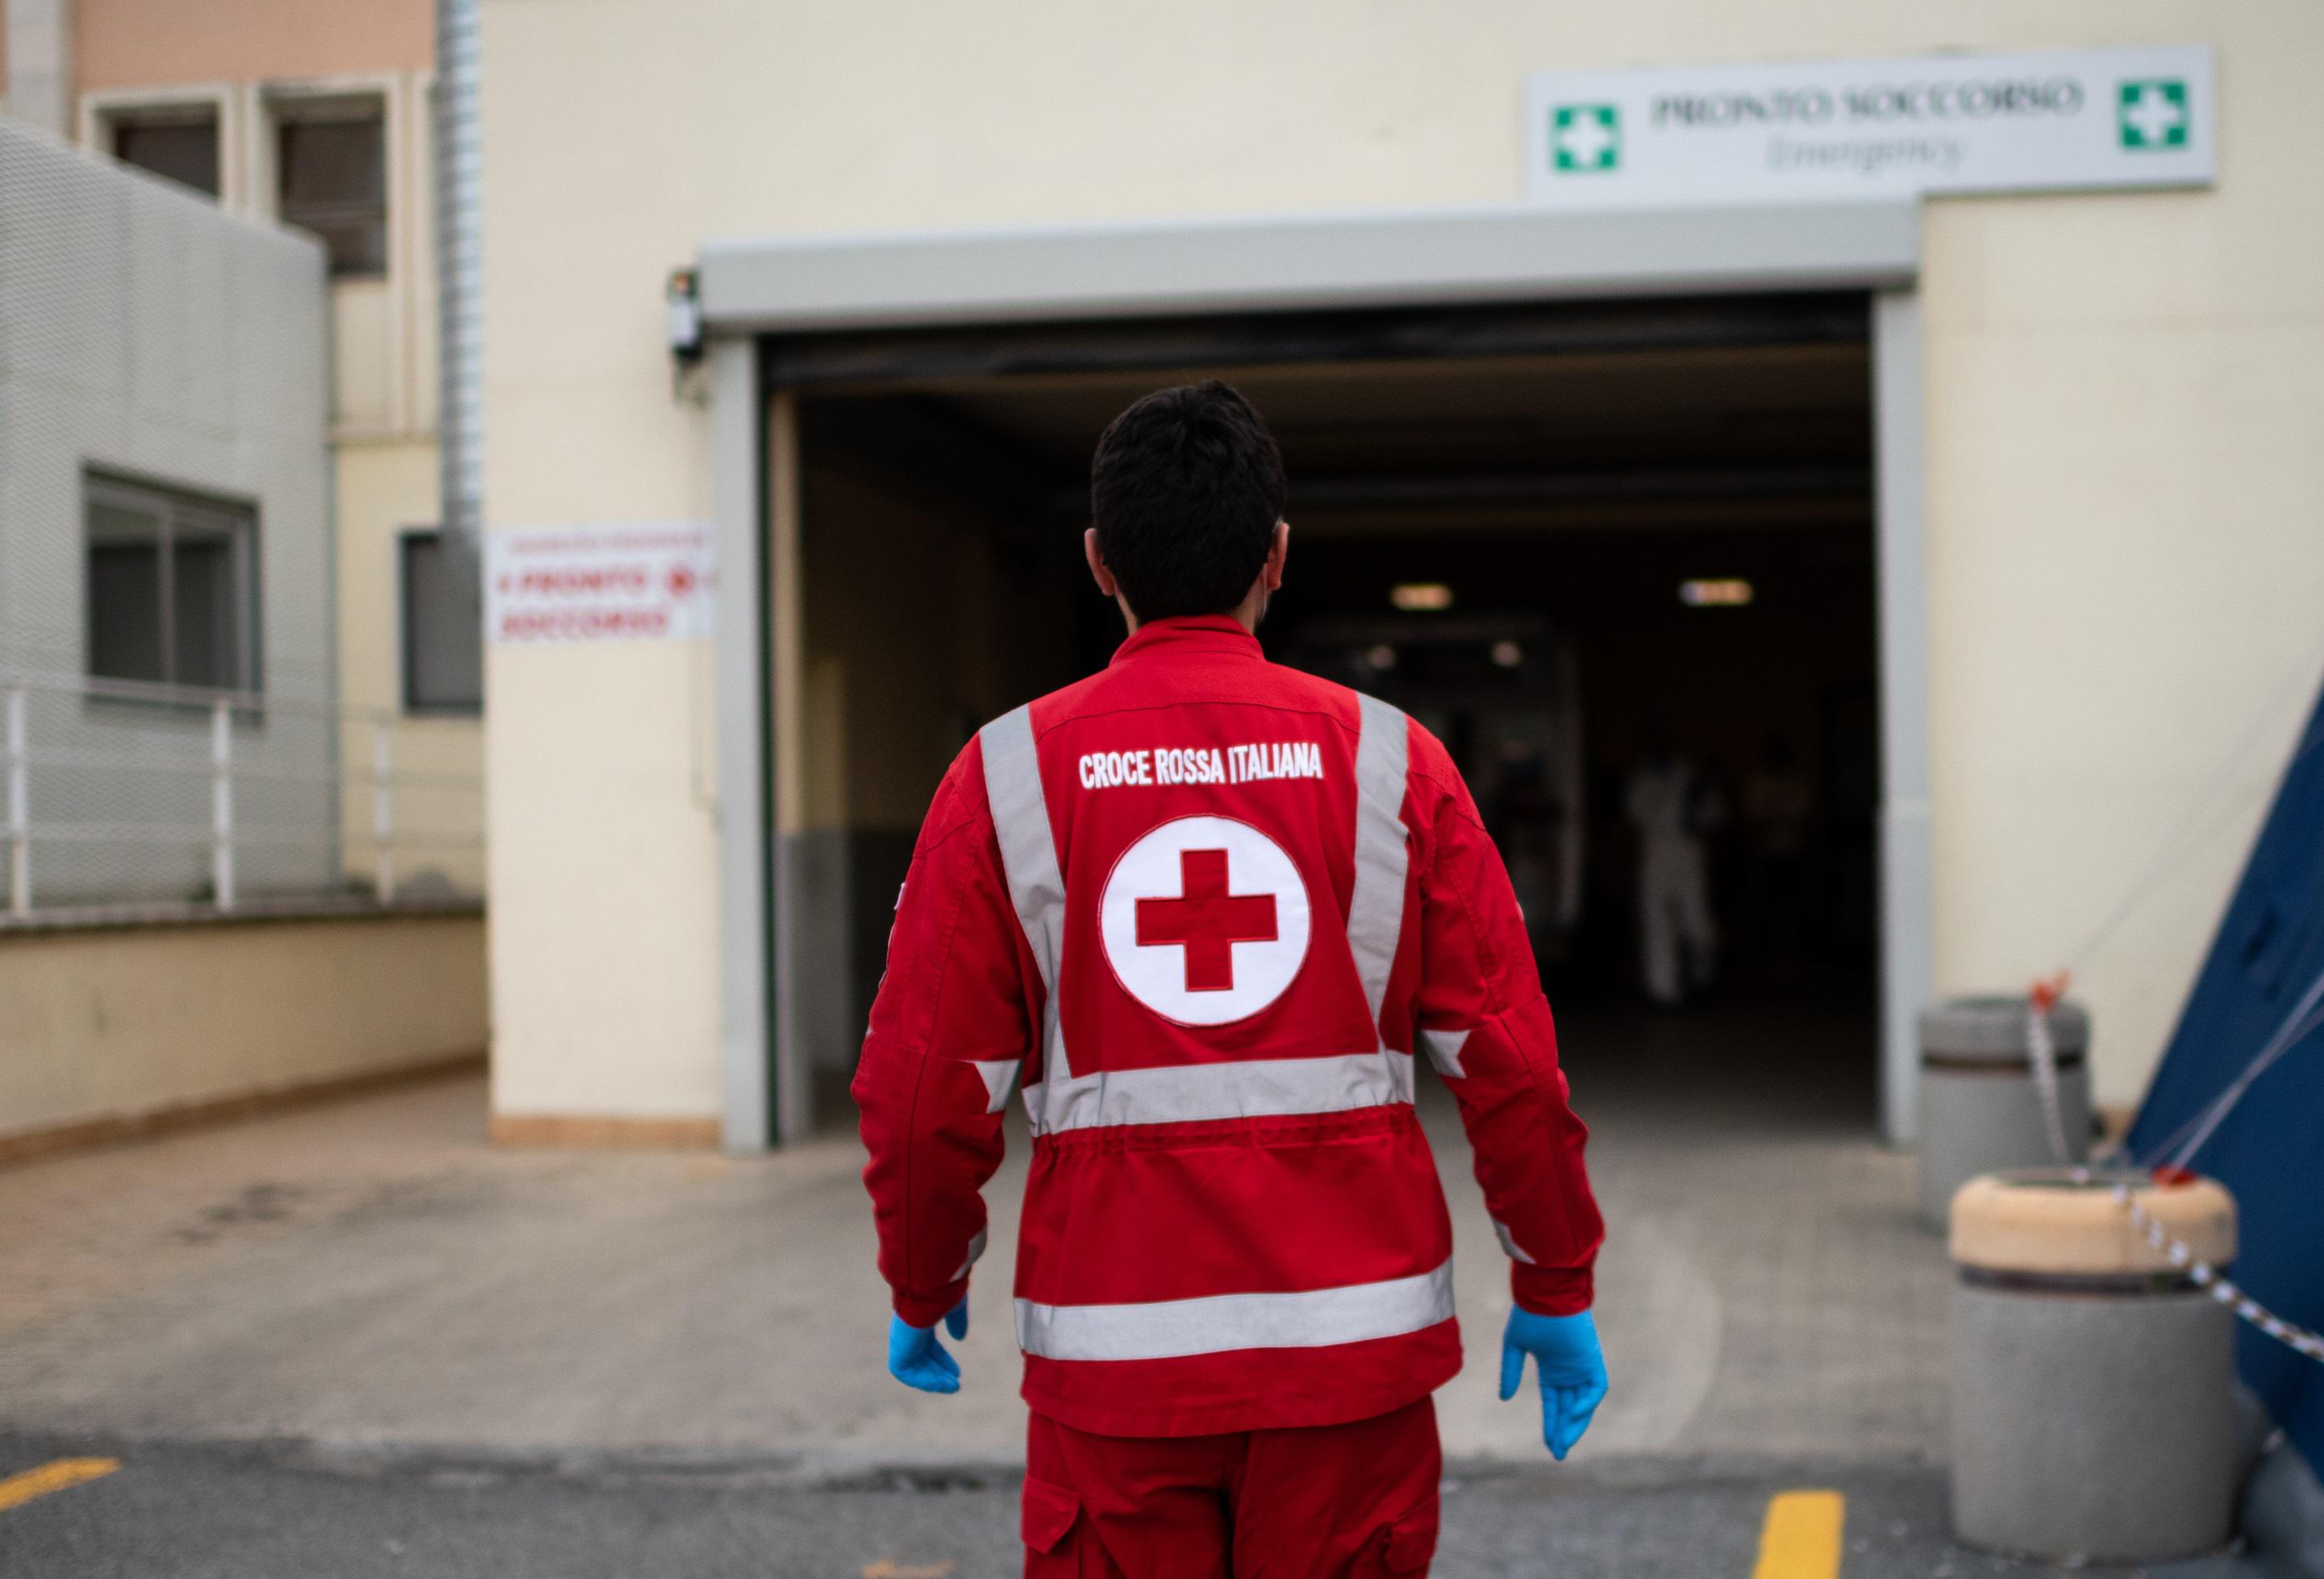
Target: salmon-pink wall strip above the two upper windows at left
145 43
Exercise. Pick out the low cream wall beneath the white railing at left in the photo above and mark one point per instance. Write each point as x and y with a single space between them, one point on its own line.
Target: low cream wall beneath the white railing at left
117 1024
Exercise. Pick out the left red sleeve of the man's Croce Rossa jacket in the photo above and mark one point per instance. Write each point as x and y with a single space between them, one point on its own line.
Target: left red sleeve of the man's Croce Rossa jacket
949 1029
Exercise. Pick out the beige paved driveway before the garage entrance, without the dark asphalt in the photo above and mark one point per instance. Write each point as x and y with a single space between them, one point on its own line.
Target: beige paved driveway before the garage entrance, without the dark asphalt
375 1273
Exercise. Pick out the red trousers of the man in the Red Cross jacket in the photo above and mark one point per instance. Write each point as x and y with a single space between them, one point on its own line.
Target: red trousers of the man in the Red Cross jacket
1300 1503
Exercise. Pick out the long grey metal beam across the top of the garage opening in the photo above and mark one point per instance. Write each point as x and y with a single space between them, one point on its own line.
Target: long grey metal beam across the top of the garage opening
1303 264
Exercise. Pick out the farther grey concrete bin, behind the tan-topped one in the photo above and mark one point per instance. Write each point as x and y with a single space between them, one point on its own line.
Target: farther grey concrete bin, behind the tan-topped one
1979 1108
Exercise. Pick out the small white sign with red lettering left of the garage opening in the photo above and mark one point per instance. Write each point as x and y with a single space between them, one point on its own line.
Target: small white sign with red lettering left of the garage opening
629 583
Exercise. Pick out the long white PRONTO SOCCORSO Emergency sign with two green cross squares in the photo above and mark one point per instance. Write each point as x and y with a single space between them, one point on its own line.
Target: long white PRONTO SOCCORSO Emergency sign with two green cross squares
1872 129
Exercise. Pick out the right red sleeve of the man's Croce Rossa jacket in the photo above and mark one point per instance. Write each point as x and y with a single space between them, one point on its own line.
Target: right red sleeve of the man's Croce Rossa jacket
1486 1027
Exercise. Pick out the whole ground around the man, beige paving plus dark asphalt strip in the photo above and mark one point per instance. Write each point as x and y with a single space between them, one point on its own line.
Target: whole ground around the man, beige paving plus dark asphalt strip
359 1341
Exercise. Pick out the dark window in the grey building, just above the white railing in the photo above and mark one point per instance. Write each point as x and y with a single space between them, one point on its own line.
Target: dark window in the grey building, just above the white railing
173 587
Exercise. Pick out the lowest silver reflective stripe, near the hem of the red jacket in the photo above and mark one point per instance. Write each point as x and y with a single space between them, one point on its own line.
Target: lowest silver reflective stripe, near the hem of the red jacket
1219 1324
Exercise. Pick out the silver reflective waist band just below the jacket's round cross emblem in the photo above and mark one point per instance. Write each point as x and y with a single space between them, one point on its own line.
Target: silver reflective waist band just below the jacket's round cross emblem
1258 1087
